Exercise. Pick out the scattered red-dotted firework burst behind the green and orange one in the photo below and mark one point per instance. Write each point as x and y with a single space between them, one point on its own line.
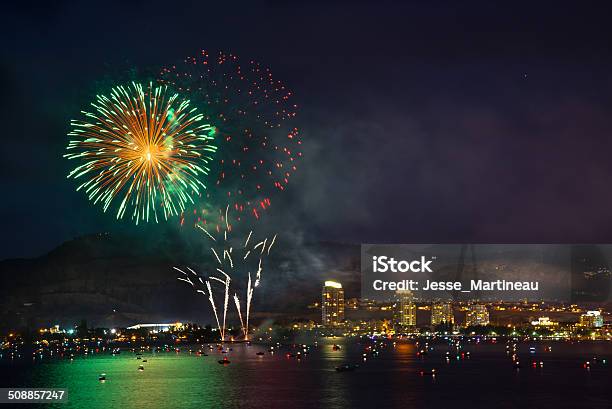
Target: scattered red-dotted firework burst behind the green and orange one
259 143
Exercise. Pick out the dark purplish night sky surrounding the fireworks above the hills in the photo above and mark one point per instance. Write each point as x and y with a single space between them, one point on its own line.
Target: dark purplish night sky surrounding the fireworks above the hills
445 122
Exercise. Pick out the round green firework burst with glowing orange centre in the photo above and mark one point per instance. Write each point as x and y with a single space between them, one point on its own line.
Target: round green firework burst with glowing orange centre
144 148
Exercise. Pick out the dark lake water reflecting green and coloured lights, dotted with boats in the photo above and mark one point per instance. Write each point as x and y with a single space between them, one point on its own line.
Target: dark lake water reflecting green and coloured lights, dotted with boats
389 378
